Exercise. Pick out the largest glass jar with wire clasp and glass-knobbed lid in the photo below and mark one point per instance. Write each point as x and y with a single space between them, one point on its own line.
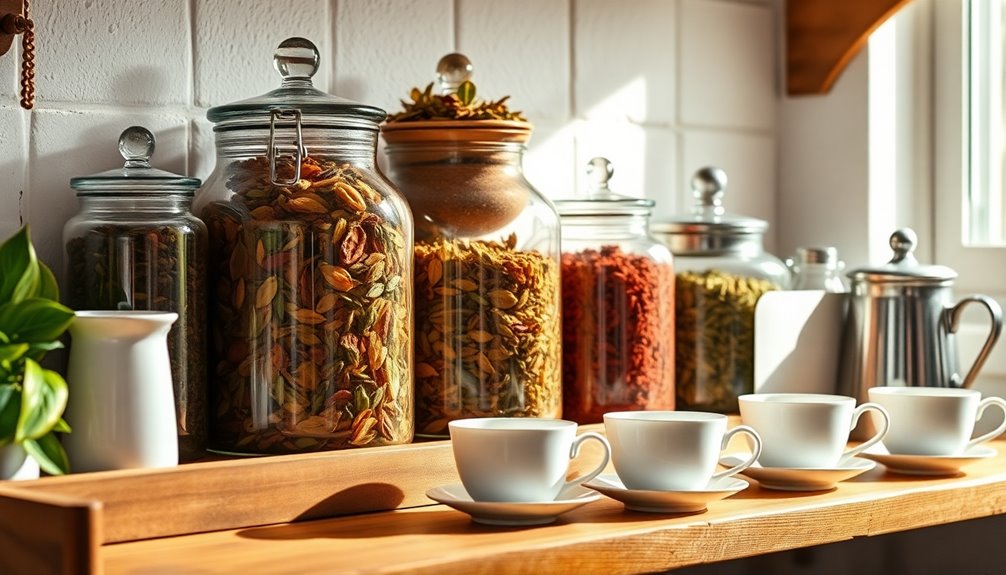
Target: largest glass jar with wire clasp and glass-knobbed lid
311 274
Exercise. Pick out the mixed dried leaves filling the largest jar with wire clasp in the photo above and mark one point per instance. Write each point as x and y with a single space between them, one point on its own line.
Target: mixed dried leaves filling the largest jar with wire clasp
311 316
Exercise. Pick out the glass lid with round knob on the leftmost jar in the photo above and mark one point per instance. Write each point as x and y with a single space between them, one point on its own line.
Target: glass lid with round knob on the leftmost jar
136 144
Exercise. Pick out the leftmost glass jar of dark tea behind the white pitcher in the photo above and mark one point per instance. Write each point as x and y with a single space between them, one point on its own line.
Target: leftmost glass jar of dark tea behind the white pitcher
135 245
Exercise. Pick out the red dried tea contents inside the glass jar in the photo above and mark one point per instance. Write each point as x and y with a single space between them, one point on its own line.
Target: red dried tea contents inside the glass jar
618 334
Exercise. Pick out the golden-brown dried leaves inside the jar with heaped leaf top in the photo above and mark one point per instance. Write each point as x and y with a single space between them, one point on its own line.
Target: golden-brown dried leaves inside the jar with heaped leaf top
487 331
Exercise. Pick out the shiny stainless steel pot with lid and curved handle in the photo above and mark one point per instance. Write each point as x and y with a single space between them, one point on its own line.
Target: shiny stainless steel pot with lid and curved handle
902 323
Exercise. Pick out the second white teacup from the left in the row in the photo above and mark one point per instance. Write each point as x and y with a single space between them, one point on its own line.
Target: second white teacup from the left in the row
673 451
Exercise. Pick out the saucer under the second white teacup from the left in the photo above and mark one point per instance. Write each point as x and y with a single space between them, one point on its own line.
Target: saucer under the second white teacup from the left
666 502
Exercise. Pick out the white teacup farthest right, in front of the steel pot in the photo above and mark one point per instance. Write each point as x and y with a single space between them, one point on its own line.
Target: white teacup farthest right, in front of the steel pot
934 421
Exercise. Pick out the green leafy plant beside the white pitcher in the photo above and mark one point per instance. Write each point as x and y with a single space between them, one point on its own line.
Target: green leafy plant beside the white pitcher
33 399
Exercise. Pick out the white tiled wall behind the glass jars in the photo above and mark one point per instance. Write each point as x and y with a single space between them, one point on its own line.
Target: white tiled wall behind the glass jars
660 87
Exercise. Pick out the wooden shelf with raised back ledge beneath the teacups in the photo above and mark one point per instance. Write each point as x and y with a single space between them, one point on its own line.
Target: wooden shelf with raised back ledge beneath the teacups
289 514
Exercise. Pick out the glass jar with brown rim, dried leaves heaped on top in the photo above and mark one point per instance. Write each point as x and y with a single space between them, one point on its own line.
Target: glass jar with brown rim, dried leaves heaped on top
487 271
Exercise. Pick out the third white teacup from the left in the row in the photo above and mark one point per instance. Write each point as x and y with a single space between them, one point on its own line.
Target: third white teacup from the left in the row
807 431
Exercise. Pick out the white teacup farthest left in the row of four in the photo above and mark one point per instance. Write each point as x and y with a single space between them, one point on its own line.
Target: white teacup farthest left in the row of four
519 459
